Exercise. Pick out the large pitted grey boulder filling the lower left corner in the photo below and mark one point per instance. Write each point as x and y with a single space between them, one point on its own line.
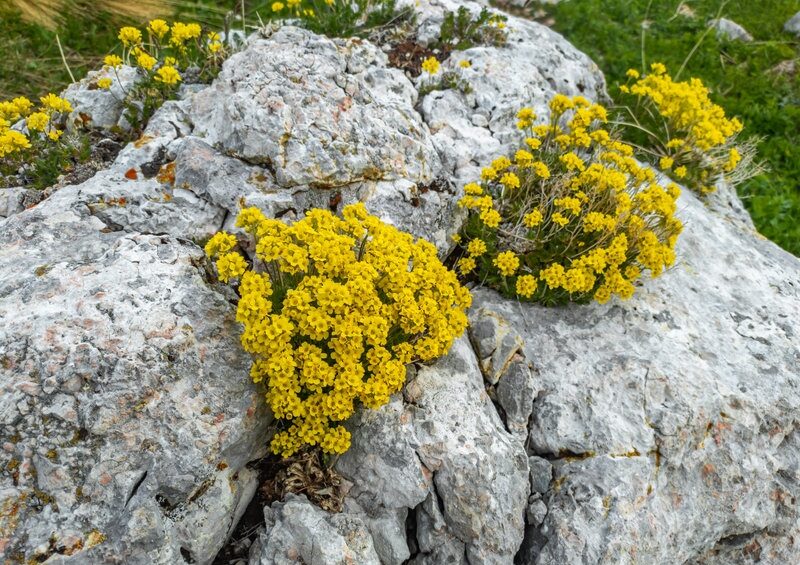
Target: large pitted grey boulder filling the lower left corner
126 411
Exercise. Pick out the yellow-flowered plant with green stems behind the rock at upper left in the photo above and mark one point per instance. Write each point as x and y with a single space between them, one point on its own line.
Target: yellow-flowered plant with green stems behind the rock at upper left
161 54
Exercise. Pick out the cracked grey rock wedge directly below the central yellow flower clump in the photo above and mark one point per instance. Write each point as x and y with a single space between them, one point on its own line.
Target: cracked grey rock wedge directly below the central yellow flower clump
443 448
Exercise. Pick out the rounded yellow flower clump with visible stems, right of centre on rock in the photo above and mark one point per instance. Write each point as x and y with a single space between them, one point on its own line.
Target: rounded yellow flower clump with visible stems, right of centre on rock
581 220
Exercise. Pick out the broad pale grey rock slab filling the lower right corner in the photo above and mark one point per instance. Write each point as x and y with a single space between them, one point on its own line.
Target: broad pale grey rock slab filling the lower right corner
671 420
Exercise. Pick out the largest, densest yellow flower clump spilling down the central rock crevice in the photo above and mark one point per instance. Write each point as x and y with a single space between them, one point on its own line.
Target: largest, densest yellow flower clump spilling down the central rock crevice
339 308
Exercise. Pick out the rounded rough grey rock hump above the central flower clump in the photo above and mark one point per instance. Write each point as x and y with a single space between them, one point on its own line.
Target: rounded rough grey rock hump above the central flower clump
319 112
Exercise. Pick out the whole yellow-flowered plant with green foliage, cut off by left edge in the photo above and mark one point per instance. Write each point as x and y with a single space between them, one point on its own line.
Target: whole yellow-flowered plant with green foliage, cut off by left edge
38 144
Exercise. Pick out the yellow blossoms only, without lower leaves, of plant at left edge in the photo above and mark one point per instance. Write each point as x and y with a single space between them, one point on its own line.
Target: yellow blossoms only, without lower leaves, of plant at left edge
41 124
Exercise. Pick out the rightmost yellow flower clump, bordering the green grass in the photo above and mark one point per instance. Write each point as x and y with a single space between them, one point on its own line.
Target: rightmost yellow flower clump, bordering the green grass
680 122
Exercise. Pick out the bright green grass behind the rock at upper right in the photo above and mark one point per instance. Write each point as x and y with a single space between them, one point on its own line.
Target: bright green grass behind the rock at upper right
610 31
